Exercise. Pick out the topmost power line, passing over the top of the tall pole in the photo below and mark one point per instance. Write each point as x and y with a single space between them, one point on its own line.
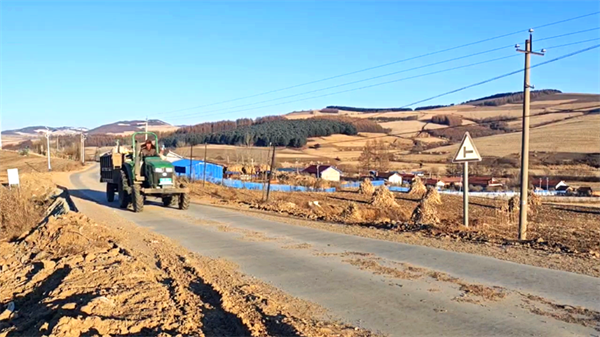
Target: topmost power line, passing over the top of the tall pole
385 64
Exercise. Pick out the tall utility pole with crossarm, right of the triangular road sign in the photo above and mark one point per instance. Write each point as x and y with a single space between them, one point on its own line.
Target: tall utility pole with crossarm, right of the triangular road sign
525 138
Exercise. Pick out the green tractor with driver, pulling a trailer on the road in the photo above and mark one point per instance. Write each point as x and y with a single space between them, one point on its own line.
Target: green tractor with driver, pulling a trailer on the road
135 178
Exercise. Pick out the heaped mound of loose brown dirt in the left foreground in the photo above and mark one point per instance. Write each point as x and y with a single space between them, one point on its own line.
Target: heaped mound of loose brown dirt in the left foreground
74 277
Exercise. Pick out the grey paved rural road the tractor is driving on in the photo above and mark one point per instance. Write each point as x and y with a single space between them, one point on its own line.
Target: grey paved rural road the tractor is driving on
393 306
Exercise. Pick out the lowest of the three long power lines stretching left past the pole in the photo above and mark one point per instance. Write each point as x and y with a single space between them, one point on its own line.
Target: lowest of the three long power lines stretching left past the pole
372 85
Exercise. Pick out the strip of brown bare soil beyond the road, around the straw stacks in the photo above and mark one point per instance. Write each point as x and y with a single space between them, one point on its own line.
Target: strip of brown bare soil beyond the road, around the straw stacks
564 237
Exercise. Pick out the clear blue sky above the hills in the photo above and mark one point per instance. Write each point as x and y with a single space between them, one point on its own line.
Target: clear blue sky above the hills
86 63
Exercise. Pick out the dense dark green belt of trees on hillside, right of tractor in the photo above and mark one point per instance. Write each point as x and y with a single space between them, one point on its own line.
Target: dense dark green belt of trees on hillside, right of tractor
291 133
